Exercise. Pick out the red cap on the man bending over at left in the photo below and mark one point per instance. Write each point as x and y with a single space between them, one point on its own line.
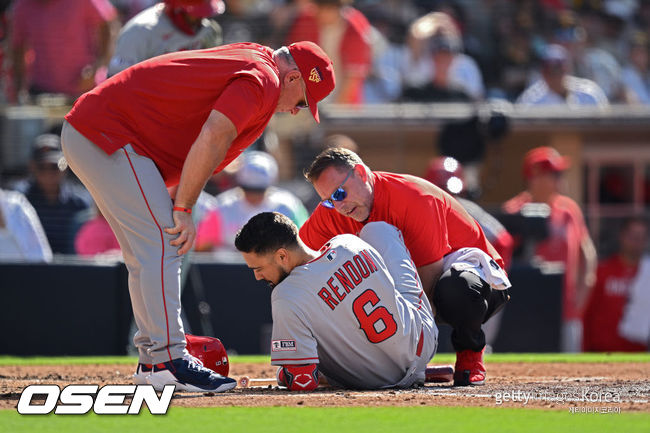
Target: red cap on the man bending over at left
317 72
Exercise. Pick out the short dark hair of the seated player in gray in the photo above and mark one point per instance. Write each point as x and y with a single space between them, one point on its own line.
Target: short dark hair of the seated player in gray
267 232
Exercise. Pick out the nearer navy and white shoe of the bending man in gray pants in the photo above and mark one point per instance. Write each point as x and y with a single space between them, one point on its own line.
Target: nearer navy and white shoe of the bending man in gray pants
189 376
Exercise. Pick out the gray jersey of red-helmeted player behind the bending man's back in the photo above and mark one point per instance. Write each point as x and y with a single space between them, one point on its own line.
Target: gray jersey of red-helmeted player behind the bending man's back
151 33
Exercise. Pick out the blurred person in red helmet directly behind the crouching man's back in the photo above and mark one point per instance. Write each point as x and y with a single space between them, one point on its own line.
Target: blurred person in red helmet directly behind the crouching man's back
447 173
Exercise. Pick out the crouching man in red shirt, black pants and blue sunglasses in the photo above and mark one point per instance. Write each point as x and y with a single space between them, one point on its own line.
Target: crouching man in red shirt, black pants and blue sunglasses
460 270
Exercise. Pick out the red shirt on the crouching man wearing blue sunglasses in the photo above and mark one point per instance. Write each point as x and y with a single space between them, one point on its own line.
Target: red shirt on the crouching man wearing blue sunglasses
432 222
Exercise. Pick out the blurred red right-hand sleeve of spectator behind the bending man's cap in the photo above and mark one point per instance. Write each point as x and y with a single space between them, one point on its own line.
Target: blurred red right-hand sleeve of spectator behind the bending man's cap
356 56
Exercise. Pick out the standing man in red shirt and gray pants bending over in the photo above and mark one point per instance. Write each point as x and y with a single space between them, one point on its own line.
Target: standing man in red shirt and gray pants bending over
173 120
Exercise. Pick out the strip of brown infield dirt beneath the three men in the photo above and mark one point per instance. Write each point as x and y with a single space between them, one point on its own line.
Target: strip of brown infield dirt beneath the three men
603 387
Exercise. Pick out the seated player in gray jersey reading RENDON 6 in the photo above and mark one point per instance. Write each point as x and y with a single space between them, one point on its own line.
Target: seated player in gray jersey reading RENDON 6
353 312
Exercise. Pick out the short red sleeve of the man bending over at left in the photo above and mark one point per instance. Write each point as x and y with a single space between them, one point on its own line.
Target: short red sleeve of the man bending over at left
238 102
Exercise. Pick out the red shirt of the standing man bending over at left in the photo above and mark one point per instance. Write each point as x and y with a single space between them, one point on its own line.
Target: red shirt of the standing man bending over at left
160 105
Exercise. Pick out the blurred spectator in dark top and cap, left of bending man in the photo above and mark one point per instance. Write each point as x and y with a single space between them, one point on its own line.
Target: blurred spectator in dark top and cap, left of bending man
56 200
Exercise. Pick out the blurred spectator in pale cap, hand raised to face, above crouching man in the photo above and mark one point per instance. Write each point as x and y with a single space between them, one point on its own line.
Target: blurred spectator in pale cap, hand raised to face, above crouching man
435 69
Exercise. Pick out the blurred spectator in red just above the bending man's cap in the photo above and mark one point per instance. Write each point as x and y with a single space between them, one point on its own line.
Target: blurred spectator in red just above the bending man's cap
344 34
